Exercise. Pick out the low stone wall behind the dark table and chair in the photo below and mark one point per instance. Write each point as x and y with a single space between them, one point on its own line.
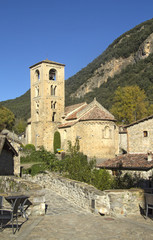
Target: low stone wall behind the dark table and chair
12 186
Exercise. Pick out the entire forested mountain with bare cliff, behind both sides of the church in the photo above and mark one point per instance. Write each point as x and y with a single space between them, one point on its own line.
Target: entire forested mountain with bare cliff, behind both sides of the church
127 61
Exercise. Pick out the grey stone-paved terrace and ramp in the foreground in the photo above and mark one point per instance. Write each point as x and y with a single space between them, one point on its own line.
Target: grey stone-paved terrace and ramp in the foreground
65 221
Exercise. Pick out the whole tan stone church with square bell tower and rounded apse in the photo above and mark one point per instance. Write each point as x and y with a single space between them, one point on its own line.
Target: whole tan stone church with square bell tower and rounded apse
92 124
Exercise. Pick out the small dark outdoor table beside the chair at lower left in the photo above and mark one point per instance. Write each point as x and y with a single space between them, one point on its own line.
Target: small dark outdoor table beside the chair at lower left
23 200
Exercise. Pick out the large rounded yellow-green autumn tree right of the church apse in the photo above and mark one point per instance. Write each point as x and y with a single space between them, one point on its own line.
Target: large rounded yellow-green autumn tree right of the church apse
129 104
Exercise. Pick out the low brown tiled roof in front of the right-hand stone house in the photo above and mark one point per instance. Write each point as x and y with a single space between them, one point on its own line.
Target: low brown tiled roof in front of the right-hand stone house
128 161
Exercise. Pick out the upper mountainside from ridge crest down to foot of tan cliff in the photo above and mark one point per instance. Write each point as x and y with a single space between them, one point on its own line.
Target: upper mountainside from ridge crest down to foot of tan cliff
128 49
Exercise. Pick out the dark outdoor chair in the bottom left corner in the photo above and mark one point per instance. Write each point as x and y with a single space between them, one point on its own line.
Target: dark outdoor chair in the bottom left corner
10 216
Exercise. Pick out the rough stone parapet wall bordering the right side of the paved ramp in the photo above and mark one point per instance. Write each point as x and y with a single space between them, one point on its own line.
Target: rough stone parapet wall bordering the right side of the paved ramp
108 202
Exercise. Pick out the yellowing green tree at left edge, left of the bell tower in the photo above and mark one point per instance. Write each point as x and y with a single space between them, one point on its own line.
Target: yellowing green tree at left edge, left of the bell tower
7 118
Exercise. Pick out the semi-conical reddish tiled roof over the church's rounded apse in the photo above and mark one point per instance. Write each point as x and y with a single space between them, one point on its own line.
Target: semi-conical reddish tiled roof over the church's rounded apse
97 114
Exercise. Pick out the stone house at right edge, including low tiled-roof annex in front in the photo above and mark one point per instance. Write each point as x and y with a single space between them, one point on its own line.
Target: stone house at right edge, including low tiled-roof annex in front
136 142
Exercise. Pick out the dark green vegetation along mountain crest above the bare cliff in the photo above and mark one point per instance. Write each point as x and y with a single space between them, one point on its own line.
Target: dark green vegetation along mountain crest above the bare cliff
124 46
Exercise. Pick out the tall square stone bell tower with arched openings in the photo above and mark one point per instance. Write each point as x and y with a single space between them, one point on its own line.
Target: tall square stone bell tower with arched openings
47 101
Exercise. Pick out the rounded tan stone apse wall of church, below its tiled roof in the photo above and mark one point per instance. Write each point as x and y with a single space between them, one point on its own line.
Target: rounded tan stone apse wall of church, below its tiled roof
93 133
